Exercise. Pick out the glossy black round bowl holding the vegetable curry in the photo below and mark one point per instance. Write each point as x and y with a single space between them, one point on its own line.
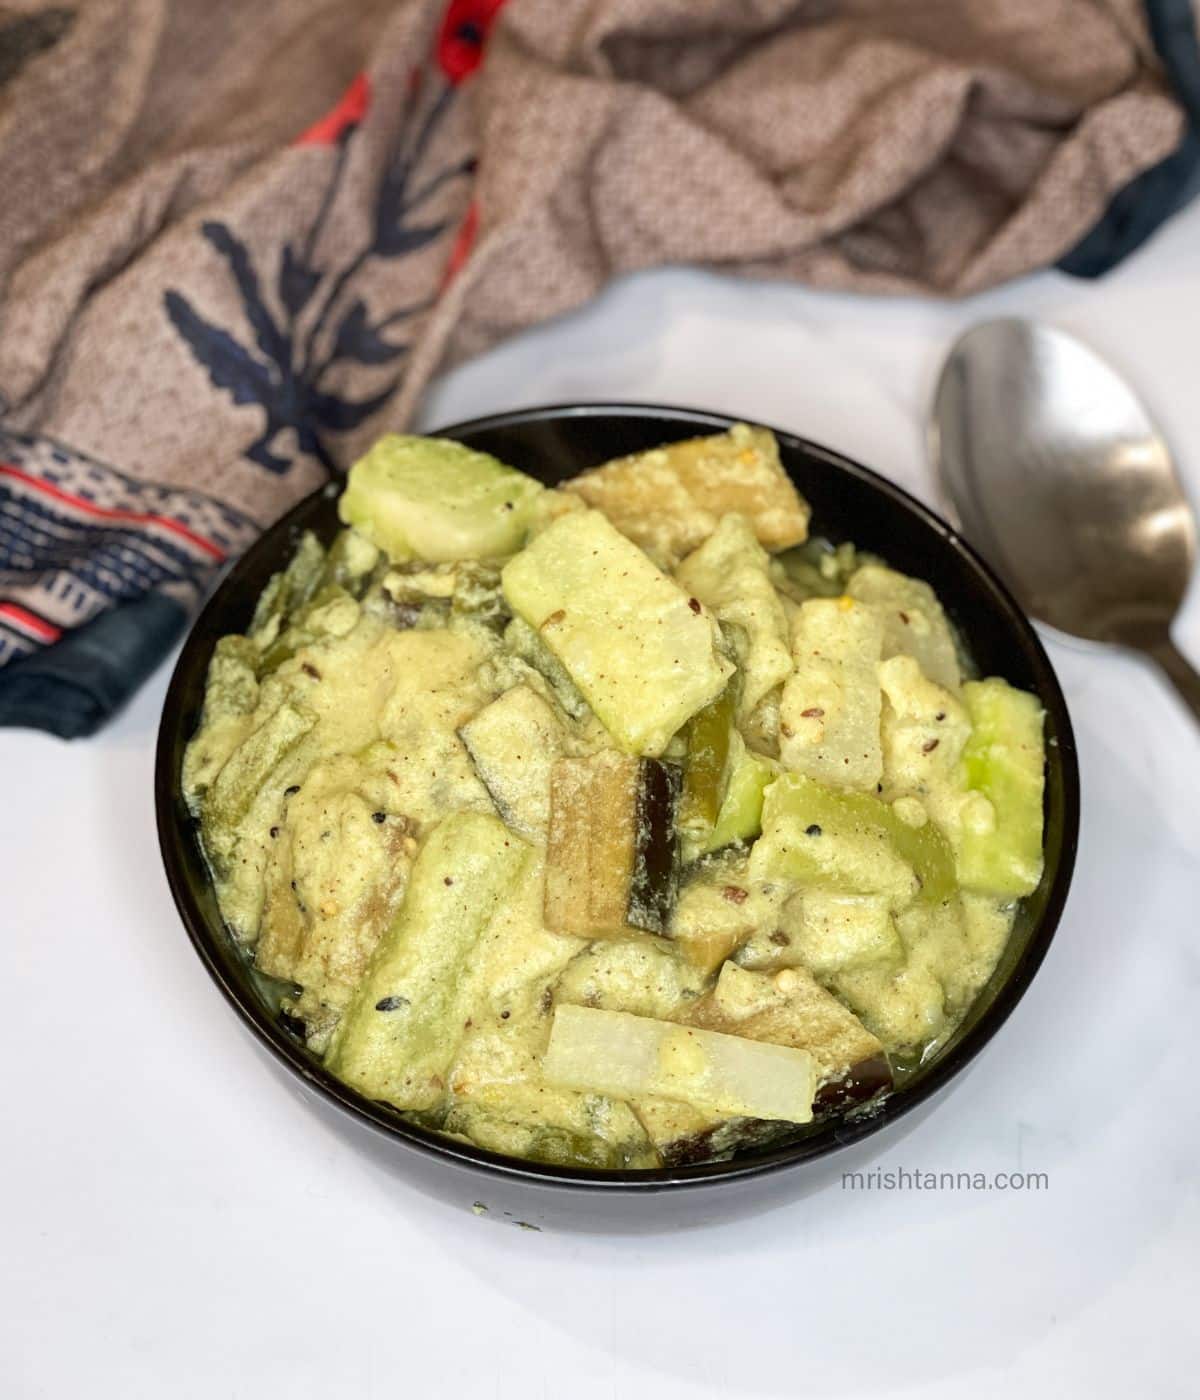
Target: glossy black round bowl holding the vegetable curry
848 503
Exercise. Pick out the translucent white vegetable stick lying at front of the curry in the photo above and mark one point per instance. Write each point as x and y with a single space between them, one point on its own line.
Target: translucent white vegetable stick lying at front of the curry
614 1052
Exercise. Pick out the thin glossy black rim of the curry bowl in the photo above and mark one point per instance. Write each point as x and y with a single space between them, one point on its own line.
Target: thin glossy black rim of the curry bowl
839 1132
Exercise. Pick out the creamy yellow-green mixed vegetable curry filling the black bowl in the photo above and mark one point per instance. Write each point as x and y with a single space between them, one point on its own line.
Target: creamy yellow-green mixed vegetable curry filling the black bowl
614 825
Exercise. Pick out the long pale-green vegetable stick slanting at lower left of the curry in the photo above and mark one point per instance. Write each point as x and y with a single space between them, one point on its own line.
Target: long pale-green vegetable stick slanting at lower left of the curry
403 1030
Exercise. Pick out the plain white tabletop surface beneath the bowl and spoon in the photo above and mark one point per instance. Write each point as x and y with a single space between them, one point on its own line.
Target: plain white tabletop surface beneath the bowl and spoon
177 1224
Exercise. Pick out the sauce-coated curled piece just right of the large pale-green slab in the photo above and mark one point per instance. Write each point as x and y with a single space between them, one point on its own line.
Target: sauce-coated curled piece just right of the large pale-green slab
730 575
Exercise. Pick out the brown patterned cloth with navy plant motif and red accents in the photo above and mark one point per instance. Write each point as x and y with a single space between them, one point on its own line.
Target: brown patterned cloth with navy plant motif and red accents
237 240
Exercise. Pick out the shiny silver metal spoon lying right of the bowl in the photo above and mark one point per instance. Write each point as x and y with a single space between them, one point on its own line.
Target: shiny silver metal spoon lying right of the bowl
1063 484
